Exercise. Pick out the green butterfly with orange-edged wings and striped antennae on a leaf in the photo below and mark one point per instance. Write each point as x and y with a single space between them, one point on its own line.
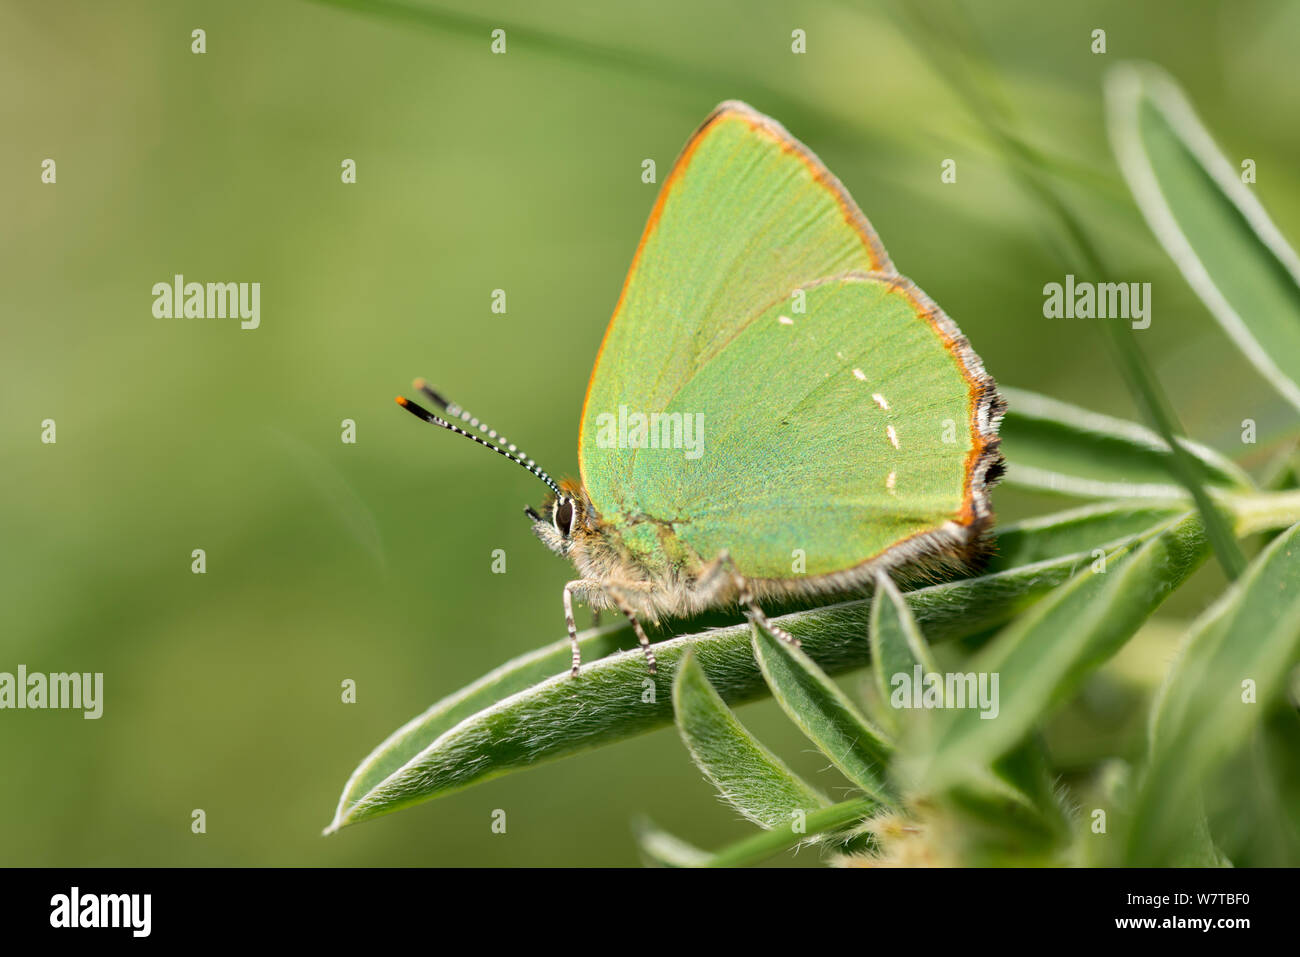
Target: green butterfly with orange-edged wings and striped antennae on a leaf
775 413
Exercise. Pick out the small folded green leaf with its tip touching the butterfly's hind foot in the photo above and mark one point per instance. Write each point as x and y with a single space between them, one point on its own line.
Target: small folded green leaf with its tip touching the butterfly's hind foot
824 713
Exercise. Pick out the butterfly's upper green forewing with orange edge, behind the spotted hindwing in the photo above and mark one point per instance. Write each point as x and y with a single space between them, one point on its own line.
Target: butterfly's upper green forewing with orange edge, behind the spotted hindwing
746 218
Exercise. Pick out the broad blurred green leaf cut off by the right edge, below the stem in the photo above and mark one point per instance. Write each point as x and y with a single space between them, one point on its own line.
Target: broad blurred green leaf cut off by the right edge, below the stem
1202 714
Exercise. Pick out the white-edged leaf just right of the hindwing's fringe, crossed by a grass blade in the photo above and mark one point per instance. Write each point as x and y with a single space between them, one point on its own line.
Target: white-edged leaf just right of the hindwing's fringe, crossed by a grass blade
1060 448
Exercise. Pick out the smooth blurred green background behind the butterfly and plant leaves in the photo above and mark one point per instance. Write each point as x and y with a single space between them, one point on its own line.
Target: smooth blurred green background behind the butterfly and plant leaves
475 172
